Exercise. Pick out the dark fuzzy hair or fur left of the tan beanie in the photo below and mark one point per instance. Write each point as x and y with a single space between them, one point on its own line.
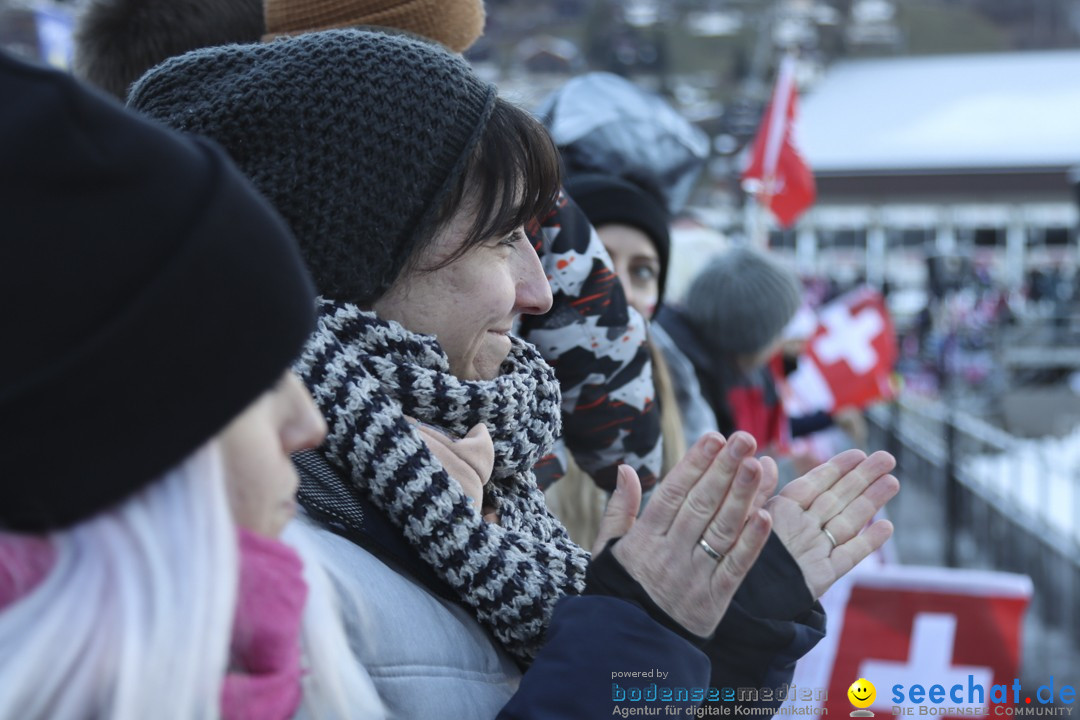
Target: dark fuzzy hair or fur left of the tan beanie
116 42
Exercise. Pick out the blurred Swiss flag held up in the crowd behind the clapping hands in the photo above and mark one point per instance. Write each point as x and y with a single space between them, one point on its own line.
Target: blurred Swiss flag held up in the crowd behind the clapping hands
848 362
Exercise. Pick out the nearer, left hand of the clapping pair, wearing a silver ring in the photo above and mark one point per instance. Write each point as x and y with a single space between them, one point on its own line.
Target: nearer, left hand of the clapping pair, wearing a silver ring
709 497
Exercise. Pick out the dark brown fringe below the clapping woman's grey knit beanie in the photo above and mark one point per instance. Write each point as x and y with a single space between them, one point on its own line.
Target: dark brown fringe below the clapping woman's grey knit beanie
512 175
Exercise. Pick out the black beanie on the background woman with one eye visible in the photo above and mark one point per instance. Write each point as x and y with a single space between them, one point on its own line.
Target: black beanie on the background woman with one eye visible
606 199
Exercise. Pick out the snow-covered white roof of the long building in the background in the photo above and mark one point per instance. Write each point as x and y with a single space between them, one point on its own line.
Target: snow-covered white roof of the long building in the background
1007 111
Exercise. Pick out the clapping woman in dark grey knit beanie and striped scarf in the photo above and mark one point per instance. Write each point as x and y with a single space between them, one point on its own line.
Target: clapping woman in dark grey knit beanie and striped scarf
409 205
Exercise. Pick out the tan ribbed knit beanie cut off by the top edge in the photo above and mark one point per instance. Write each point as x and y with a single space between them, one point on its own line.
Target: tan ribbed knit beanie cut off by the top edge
456 24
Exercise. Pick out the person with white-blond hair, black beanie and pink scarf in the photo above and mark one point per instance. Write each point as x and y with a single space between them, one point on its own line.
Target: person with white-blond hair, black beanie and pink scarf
150 413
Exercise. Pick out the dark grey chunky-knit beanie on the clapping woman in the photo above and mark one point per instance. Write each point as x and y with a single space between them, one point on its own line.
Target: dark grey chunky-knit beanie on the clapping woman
356 138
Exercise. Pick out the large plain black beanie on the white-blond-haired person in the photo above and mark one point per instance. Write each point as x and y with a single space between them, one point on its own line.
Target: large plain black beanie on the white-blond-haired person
150 296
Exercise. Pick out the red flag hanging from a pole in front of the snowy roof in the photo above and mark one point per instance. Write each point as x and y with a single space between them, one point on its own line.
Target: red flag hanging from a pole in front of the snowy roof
778 176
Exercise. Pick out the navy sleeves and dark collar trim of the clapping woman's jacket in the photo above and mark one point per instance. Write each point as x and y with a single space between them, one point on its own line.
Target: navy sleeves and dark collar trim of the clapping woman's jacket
617 629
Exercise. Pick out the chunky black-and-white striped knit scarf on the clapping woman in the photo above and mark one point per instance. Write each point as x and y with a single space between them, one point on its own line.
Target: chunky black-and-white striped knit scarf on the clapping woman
367 375
